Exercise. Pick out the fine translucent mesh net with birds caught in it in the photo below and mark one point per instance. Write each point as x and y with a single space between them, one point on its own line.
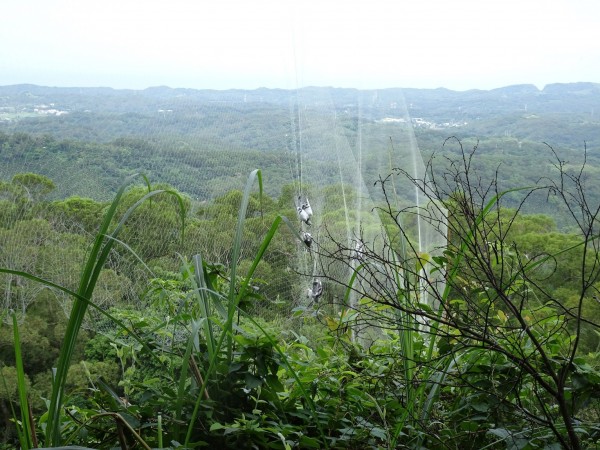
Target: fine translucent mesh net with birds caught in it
316 147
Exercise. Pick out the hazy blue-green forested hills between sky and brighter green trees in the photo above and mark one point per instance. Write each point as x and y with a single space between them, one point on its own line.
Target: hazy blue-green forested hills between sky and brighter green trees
200 141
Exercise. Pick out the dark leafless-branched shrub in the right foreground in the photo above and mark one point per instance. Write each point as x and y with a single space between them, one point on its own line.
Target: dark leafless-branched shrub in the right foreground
480 333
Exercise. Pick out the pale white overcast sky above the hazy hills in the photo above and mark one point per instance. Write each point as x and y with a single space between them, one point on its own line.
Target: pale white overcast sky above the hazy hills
247 44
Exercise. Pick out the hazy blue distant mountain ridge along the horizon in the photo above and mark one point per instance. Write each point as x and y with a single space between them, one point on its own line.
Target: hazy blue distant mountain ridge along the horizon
559 97
